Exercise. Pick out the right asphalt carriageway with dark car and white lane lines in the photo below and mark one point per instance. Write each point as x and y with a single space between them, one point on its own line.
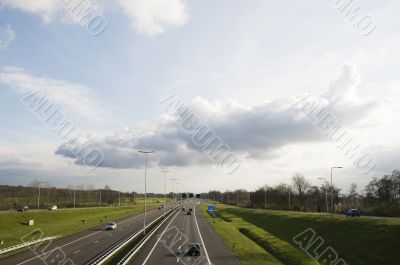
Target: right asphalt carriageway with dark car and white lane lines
170 245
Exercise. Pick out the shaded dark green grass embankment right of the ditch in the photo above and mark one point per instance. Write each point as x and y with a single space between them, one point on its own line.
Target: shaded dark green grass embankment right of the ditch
359 241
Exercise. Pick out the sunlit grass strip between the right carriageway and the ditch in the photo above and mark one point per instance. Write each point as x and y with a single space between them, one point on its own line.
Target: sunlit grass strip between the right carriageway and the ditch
247 251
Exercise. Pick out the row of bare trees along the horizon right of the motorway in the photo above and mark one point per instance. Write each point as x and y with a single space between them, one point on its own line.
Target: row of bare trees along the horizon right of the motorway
380 197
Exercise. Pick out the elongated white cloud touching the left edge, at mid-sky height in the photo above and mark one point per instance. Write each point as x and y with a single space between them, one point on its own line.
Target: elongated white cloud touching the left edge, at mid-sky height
73 98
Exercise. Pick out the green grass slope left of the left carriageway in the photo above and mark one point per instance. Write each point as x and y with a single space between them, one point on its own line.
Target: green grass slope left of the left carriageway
61 222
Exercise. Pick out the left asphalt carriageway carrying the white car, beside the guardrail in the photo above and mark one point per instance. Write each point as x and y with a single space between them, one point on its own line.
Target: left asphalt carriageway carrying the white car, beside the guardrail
81 247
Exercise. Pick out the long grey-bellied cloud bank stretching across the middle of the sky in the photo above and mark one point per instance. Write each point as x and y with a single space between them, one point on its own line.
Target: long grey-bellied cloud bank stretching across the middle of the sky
258 132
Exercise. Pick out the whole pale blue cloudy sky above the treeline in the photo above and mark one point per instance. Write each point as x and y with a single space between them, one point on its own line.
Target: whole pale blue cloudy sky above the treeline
240 67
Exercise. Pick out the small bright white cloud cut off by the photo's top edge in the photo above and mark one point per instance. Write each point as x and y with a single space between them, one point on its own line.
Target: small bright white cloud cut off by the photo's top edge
152 16
